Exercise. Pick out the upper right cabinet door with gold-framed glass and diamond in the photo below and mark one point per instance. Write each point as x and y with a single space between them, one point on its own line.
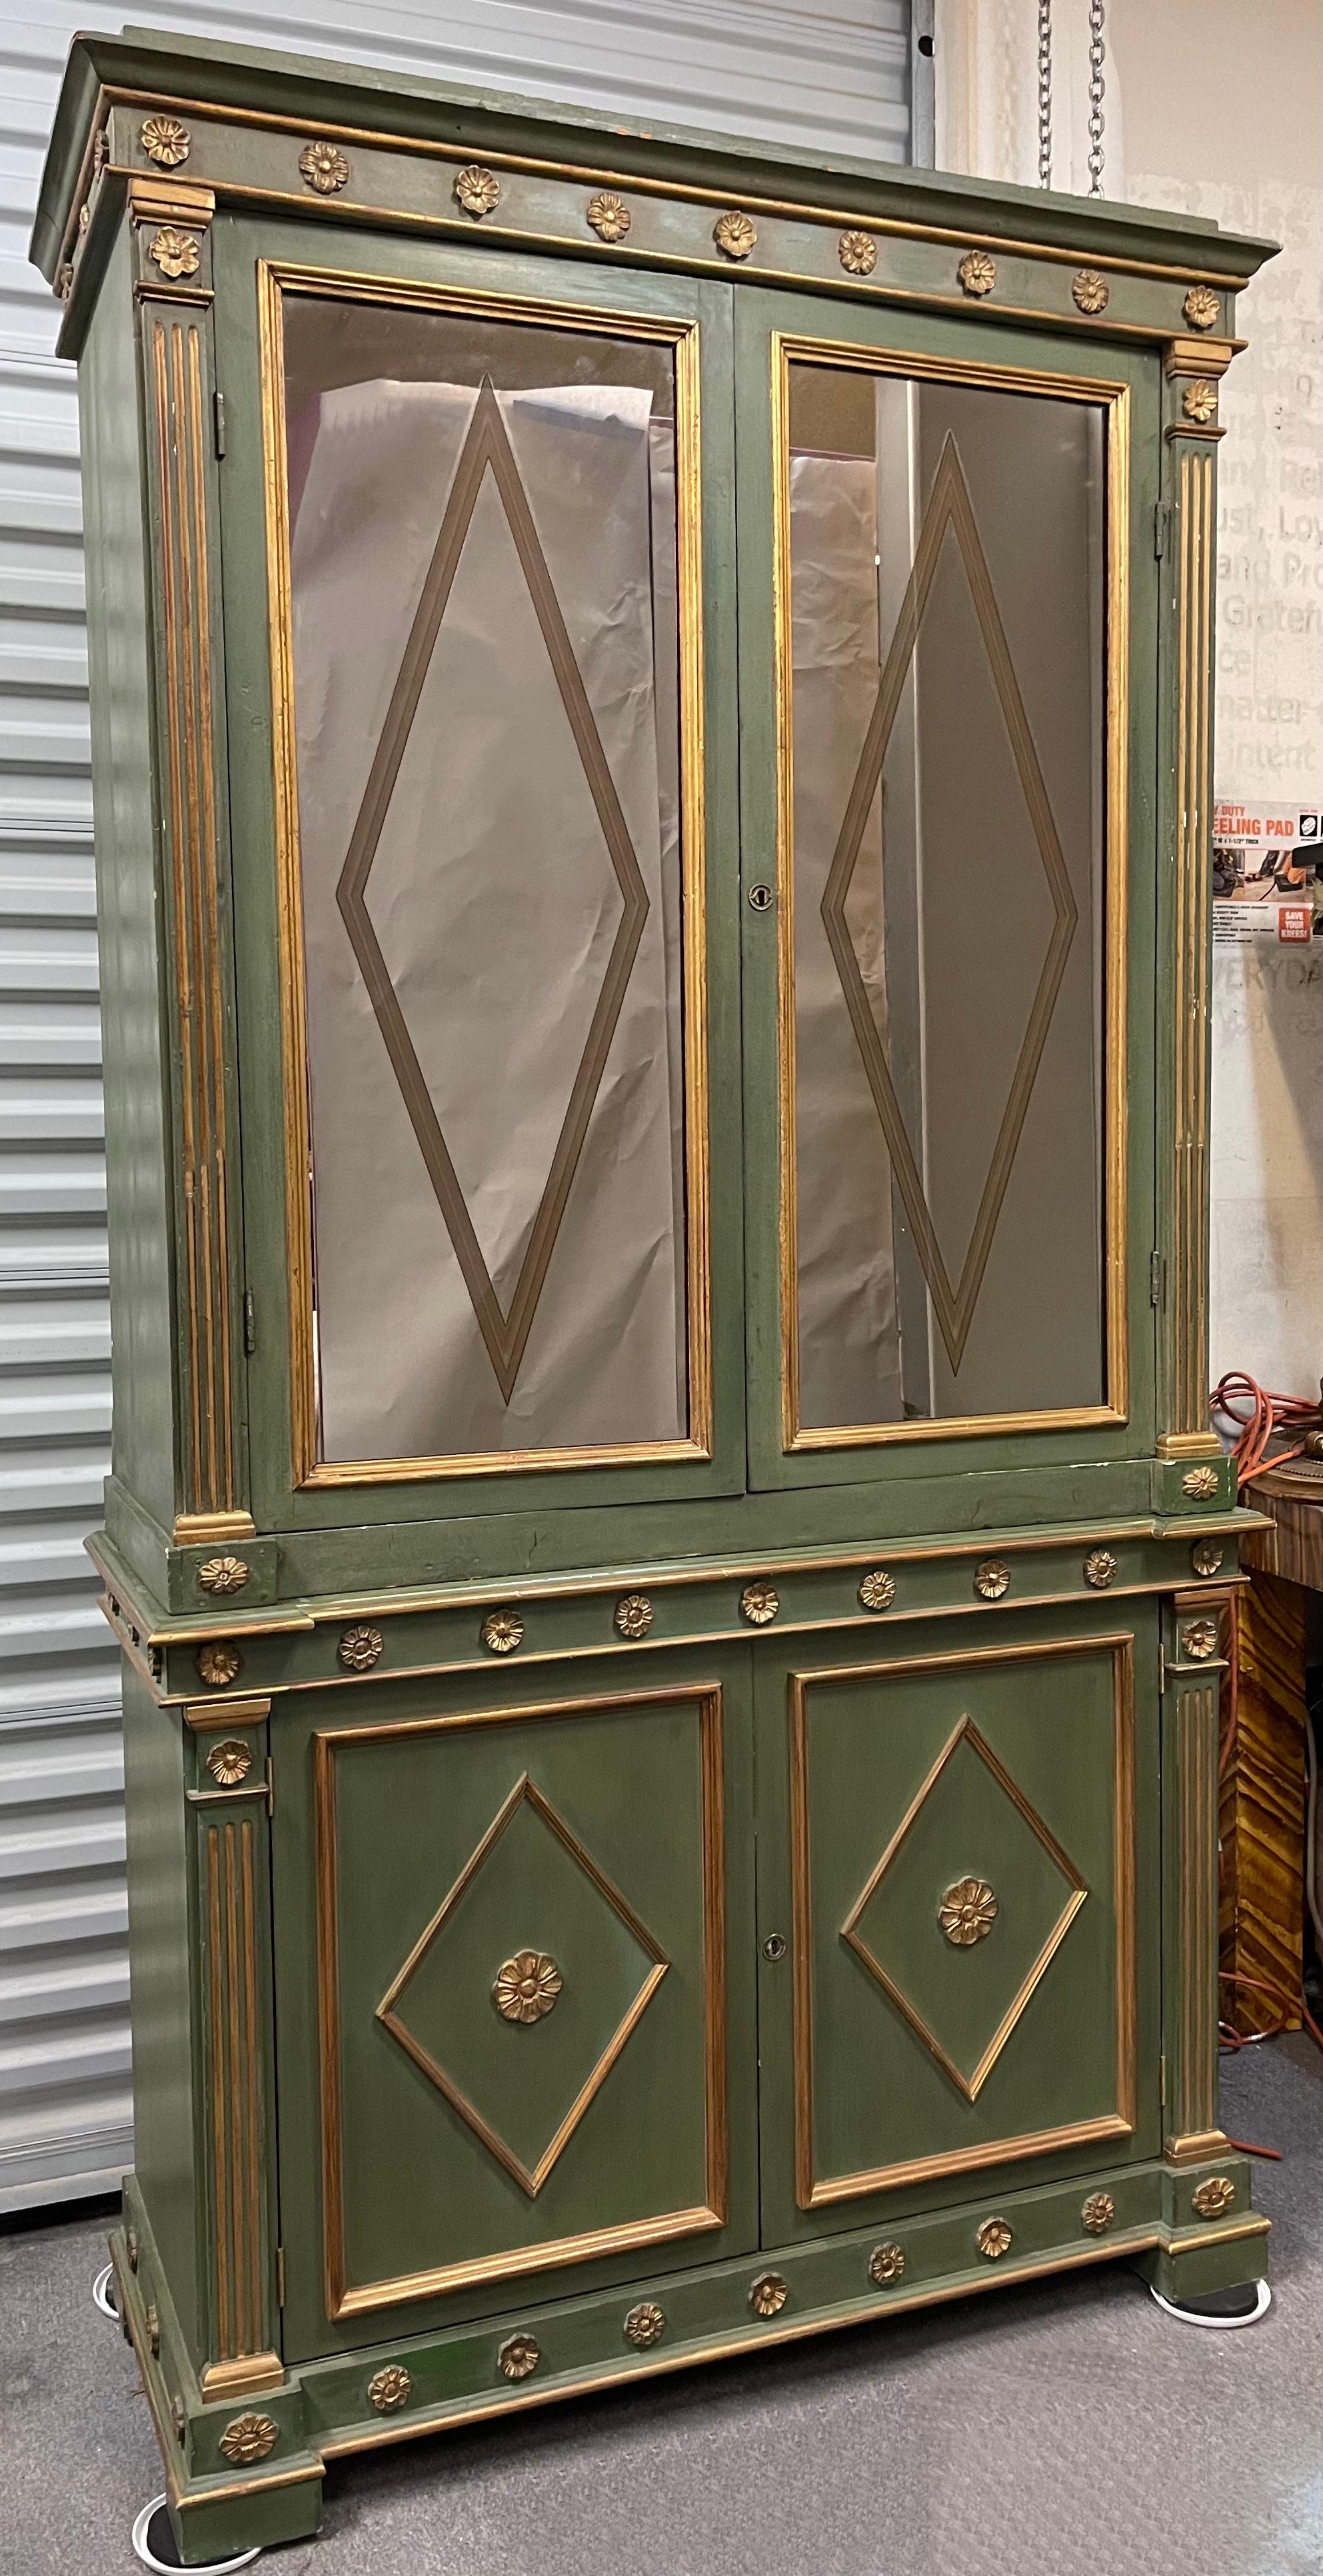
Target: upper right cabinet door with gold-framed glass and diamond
938 748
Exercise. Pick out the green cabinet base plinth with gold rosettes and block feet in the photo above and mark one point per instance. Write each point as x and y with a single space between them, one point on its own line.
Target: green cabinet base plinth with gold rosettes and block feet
251 2469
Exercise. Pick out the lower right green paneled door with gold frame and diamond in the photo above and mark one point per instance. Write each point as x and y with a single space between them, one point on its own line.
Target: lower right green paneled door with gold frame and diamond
961 1864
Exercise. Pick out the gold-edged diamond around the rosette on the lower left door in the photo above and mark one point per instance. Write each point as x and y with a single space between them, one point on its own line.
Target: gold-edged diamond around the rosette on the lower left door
524 2085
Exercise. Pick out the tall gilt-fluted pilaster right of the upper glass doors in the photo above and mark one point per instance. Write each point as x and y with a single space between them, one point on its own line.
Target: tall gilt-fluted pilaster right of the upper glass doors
1188 1428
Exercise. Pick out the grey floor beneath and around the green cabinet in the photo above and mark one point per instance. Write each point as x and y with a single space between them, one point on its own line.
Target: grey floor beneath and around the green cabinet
1028 2433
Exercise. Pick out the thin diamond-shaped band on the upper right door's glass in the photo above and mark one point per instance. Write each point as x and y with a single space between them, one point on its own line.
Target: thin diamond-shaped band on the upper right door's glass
951 511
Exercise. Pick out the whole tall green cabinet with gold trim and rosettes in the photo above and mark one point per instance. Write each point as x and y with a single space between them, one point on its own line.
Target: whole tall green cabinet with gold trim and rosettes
652 772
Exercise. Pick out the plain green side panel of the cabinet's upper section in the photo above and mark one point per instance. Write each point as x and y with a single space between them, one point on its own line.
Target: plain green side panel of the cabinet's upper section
127 905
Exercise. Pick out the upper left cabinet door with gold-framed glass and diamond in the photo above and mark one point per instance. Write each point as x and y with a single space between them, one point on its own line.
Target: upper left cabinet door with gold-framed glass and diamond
485 568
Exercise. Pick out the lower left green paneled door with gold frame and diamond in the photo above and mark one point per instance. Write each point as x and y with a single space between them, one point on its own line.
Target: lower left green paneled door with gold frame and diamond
519 1956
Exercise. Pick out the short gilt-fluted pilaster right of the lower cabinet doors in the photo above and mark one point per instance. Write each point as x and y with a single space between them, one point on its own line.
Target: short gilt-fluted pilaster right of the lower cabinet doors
1196 2085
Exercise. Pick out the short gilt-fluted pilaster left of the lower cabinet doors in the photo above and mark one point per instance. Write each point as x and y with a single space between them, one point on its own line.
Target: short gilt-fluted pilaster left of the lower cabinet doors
236 2114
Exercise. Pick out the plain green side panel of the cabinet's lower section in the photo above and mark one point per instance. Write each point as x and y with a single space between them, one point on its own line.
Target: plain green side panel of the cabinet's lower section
161 1982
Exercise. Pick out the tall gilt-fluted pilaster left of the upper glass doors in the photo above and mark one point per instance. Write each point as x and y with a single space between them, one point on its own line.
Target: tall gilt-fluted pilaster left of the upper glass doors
194 895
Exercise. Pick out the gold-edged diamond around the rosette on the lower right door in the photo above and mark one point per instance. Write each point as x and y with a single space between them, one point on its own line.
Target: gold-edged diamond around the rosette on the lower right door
967 2003
